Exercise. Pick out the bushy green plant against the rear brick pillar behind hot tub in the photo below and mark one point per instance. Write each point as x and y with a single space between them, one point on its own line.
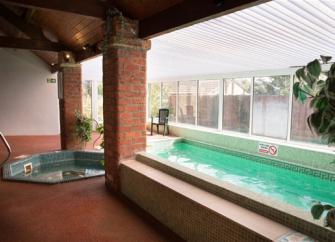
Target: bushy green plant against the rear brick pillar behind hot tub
83 127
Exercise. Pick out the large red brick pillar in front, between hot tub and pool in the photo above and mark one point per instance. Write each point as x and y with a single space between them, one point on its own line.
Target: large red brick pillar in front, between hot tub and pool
124 90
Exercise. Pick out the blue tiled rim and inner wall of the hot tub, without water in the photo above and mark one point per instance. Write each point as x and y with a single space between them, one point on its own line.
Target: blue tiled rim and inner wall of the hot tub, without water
10 169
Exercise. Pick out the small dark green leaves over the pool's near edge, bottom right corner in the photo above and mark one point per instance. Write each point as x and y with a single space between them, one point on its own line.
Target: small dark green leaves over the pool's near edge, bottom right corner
318 210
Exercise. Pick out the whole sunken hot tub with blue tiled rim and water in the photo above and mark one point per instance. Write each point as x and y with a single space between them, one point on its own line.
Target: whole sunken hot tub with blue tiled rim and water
82 165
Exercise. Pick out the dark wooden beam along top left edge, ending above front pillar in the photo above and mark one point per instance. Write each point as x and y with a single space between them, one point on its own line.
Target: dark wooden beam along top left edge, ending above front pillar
89 8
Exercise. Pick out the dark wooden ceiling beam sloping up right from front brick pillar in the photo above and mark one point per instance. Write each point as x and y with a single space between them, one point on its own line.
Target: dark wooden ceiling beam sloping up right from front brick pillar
190 12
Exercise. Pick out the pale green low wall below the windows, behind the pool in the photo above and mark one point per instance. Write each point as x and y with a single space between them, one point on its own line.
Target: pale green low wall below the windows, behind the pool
299 154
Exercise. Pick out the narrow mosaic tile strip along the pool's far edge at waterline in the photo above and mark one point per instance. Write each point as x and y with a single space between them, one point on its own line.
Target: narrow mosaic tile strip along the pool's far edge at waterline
267 160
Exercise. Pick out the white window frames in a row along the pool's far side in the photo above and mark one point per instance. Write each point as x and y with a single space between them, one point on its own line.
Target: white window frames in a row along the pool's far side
220 77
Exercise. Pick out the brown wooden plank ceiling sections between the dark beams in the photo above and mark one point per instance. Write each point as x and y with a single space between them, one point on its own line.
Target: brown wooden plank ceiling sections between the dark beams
73 30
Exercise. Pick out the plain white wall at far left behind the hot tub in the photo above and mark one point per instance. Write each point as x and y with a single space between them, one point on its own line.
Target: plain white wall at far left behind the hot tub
28 104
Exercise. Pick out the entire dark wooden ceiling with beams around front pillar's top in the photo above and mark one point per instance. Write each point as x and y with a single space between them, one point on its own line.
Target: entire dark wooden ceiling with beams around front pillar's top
72 24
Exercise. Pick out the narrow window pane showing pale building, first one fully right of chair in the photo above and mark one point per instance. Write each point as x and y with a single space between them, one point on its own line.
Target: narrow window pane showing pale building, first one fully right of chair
187 102
